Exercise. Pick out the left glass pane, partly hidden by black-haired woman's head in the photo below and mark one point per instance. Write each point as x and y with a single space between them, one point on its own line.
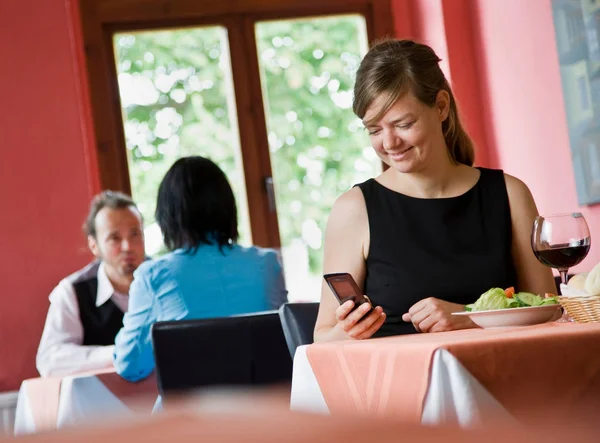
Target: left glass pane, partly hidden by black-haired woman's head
177 98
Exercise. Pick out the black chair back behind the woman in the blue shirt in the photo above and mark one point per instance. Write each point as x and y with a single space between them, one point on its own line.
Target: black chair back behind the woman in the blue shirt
242 350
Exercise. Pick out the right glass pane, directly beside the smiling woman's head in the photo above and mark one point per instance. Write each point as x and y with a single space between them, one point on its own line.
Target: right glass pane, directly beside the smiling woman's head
318 147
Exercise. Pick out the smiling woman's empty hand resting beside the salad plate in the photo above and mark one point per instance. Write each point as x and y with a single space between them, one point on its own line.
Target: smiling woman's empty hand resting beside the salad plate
435 315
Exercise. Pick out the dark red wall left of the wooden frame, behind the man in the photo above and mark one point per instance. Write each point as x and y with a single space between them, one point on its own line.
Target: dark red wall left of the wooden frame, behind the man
45 186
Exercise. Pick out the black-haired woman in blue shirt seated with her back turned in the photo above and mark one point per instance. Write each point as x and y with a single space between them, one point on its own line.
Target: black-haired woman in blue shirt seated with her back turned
205 274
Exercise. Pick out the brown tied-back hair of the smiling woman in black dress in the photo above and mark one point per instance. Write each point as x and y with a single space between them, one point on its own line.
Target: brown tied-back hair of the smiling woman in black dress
393 67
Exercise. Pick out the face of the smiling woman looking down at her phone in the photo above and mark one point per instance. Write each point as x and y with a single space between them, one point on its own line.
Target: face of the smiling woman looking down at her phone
409 135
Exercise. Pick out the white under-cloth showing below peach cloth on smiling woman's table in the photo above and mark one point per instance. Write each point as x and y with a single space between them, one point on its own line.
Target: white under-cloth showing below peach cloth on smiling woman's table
454 395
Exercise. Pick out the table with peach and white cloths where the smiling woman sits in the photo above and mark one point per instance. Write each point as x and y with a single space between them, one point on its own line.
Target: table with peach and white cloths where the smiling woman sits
463 377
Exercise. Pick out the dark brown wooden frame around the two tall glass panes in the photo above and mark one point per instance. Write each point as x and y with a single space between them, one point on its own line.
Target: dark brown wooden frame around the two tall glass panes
102 18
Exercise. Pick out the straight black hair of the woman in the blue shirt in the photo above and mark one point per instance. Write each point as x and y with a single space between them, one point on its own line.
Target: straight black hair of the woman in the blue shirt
196 205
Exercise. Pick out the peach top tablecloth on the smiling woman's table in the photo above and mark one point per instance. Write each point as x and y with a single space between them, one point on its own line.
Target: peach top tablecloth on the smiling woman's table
551 364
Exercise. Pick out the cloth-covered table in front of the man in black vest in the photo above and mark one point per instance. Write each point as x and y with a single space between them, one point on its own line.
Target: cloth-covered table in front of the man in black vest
54 402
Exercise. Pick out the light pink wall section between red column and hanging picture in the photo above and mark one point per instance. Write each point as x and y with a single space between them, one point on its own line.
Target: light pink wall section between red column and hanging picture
526 126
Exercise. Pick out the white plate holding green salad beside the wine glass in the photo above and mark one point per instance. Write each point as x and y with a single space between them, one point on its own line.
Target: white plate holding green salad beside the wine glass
497 318
